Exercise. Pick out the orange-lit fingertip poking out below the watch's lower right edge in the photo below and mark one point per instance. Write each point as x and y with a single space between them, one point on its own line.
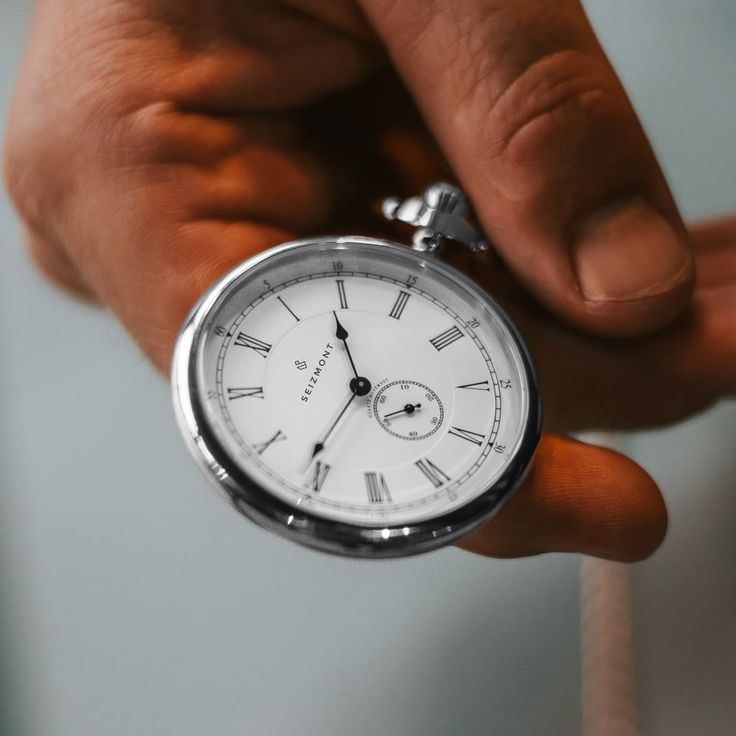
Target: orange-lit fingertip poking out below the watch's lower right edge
578 498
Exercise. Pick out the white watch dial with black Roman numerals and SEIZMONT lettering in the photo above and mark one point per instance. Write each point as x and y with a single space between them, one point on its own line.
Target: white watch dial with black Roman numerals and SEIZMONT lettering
360 383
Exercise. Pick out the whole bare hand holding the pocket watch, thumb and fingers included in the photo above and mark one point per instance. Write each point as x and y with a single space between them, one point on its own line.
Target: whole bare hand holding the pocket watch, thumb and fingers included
153 144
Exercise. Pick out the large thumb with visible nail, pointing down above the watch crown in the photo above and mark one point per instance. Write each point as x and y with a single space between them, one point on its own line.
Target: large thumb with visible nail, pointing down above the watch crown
538 129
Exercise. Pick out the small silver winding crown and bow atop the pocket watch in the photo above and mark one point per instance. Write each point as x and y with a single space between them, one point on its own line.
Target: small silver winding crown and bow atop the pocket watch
440 214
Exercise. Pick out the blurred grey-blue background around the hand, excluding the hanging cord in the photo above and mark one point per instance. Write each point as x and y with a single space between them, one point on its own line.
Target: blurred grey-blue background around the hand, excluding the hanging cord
133 601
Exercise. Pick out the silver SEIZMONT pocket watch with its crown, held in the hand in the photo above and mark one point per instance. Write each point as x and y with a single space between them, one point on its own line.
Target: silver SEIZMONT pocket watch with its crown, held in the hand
359 396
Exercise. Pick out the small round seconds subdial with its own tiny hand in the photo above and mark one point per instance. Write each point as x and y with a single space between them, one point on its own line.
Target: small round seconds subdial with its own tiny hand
408 410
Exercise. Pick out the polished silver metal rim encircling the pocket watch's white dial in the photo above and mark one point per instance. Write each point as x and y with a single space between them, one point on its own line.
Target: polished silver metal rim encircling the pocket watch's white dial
310 530
